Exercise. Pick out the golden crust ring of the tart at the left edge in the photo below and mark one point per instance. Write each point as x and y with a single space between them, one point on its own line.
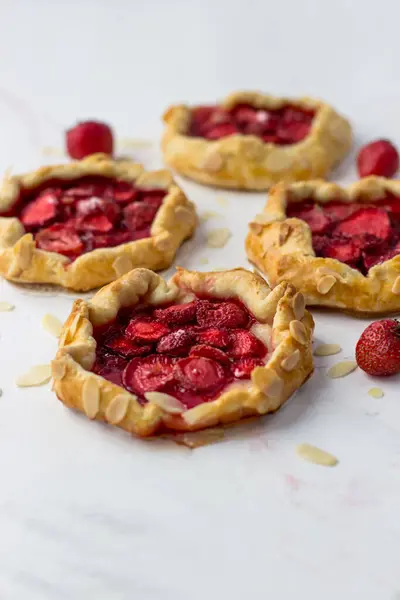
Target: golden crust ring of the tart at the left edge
22 261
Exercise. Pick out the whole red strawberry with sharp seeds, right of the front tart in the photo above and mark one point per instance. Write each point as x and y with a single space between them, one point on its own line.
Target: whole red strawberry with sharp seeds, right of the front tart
378 349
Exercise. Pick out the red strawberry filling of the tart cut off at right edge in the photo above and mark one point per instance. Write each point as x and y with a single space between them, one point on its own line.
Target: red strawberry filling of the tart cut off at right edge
360 235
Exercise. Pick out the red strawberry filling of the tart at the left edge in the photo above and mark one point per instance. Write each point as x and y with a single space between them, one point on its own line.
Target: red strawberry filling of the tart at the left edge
74 217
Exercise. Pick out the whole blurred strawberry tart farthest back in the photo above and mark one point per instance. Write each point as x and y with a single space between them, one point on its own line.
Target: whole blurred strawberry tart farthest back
251 141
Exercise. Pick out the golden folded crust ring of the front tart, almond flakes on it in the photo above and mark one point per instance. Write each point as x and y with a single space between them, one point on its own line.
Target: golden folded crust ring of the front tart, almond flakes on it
289 365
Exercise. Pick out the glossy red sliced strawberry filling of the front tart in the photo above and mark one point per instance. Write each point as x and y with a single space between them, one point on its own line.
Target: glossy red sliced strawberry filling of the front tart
191 351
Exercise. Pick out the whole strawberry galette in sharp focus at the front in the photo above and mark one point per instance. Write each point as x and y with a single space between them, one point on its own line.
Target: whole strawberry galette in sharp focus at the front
203 349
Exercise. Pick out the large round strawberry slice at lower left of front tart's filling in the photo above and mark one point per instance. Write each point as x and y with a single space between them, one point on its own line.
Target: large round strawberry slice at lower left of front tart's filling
148 374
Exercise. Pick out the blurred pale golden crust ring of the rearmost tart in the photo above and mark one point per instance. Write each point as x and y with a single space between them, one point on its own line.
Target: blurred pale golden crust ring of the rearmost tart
245 161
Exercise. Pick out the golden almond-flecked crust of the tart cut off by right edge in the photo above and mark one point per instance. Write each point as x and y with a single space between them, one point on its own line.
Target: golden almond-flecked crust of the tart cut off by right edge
282 249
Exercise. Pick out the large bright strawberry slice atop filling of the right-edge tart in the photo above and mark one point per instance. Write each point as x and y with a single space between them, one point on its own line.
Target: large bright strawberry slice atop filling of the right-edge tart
371 220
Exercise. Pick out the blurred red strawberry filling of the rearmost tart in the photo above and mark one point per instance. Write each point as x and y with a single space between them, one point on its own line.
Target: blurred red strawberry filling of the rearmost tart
287 125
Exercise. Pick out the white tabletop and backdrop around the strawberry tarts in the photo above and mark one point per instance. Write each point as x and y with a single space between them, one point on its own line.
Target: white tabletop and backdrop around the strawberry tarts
86 511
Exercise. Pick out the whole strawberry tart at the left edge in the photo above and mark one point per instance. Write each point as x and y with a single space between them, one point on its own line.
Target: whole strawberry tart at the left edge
85 223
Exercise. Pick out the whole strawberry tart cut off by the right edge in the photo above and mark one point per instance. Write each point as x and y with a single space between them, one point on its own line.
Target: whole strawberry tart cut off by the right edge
339 246
